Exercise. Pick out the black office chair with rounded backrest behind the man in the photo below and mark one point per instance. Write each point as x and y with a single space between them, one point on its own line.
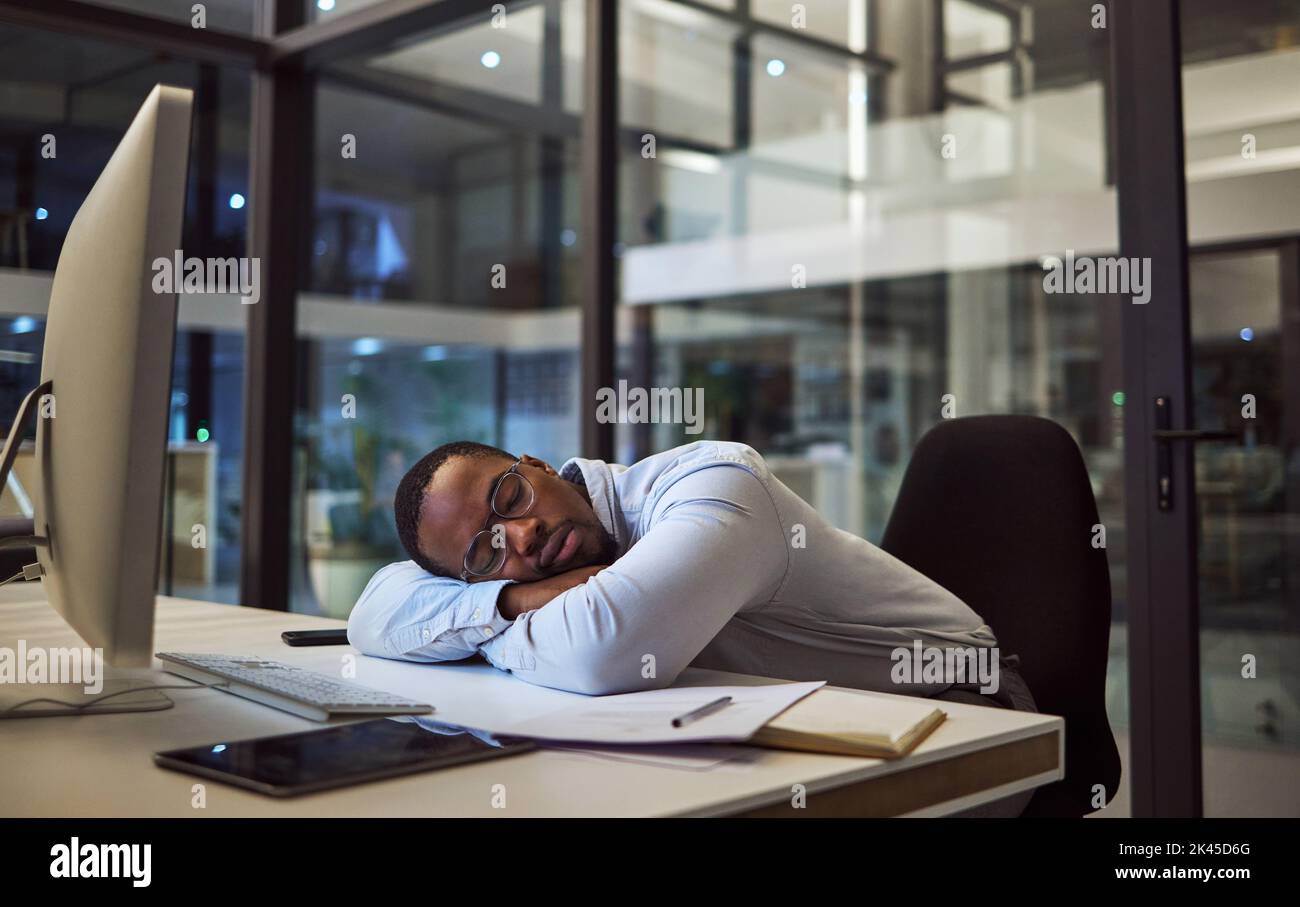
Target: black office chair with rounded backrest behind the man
999 511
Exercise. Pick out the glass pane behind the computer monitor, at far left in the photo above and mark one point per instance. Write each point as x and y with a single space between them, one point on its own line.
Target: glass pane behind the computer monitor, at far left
66 103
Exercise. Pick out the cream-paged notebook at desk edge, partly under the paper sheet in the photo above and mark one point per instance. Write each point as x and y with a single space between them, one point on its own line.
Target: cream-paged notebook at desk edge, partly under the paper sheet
851 724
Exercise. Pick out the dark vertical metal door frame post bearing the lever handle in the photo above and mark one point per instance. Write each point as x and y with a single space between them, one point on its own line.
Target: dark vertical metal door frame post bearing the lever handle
1164 641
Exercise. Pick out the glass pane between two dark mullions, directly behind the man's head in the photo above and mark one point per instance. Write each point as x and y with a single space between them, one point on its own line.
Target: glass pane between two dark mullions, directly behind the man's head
441 297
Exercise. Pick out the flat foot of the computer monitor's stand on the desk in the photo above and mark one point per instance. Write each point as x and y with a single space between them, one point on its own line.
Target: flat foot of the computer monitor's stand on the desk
116 682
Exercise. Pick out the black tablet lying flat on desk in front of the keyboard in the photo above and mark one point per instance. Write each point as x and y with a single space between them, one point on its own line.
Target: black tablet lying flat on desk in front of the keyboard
292 765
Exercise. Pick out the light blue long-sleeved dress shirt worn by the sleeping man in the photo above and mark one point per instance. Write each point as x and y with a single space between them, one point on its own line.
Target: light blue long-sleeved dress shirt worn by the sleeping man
721 566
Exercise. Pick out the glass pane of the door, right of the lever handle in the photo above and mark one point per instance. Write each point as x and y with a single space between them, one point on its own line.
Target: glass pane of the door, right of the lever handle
1241 67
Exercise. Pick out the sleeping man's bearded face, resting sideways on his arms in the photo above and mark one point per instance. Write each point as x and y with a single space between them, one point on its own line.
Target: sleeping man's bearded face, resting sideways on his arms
560 533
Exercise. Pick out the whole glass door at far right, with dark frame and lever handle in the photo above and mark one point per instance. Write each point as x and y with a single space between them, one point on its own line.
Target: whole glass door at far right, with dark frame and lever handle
1208 164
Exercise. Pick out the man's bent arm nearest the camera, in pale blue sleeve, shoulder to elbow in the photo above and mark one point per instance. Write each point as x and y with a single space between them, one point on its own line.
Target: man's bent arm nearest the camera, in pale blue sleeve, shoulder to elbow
716 545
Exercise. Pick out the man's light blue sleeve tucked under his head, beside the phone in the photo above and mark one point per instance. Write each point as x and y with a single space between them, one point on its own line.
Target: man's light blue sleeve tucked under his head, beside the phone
410 614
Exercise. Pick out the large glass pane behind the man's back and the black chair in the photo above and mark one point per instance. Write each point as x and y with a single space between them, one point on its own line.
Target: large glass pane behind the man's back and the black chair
842 240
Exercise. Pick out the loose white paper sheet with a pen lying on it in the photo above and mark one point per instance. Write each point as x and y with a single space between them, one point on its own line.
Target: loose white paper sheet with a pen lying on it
647 718
